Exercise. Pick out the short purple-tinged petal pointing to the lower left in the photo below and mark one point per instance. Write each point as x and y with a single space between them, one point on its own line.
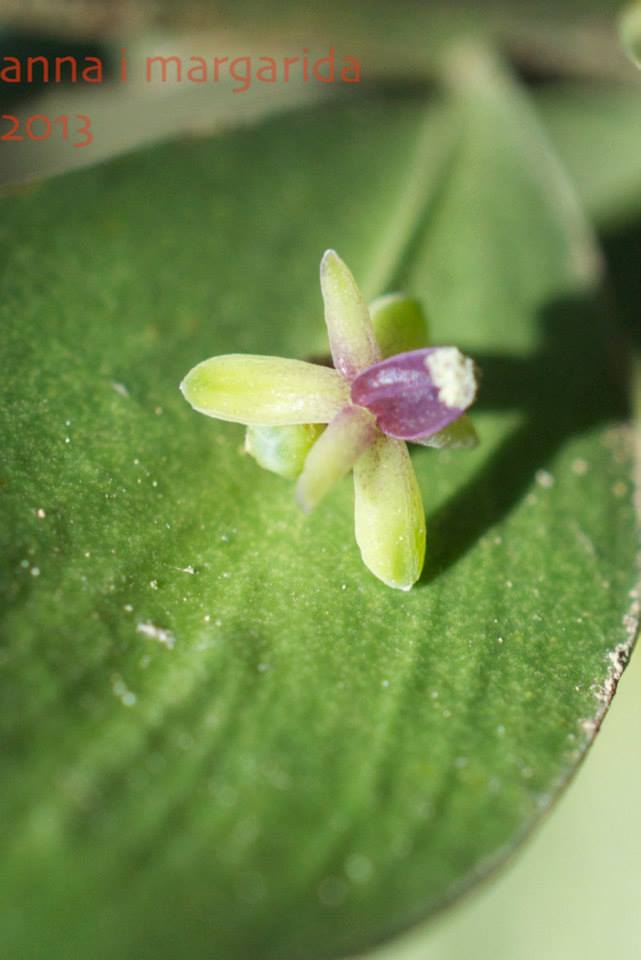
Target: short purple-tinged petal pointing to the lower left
334 454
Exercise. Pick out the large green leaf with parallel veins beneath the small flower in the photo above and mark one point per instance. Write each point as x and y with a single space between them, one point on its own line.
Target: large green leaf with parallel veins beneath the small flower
221 736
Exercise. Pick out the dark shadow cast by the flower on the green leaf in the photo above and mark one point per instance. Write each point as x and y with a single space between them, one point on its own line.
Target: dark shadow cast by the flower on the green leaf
571 384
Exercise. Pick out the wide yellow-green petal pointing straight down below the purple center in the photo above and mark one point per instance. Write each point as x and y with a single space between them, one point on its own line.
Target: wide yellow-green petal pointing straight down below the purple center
388 513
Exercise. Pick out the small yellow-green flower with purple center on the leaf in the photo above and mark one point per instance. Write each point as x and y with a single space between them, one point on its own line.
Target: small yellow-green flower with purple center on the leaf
386 388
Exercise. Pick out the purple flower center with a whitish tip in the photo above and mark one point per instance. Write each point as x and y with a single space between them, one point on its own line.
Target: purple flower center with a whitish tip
416 394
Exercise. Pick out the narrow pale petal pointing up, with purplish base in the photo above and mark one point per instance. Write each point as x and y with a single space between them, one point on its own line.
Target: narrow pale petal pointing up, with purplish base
351 337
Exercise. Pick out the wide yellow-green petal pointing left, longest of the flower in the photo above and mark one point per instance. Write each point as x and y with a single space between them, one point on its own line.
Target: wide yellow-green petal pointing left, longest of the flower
267 391
